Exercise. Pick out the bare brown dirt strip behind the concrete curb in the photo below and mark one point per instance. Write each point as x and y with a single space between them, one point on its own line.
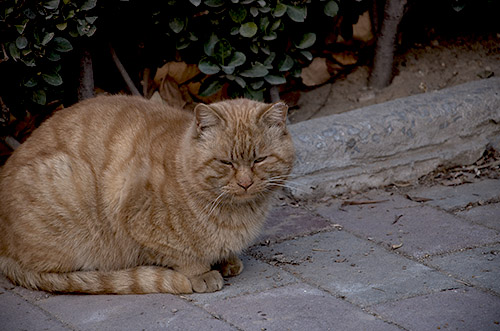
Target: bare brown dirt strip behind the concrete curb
424 67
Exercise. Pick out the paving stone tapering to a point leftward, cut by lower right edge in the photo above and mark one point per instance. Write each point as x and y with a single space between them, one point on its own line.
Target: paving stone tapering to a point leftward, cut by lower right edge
479 266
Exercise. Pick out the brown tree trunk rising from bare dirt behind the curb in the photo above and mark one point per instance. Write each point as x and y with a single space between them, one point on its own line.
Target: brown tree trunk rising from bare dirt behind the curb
384 51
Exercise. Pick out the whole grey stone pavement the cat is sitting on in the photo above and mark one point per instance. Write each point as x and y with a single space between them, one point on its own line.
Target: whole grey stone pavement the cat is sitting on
377 260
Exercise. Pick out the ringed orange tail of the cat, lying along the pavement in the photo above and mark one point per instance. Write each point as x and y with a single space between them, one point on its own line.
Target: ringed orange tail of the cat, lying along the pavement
138 280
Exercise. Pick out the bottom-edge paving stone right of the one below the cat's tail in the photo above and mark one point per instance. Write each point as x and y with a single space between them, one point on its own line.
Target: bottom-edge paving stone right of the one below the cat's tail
295 307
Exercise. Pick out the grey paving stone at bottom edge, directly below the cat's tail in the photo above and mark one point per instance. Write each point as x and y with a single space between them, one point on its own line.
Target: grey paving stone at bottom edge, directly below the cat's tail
131 312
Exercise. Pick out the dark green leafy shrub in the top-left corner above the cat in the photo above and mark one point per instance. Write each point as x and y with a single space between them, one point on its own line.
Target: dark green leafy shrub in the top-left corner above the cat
36 35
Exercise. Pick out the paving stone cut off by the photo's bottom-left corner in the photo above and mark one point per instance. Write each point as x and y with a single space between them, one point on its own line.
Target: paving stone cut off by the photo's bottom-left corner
18 314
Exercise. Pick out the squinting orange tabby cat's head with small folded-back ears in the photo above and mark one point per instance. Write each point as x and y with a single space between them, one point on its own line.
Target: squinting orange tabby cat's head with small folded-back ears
240 149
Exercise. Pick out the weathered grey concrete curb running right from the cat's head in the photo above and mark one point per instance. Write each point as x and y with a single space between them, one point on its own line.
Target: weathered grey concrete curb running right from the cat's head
395 141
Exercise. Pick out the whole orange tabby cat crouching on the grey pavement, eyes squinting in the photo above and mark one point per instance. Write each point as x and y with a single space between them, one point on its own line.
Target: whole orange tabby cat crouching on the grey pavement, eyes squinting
124 195
